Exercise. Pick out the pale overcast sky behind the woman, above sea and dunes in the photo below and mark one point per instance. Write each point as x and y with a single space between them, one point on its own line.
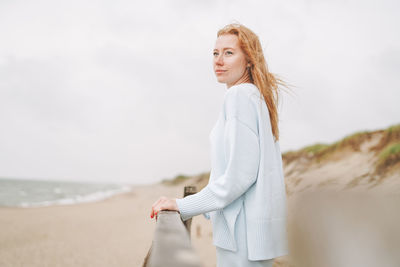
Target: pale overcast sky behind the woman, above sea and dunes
123 91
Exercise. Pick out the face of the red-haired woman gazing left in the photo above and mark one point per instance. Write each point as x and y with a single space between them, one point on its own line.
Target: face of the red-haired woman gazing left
229 60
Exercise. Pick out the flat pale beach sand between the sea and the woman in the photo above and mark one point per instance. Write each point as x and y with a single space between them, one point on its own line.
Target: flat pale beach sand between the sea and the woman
113 232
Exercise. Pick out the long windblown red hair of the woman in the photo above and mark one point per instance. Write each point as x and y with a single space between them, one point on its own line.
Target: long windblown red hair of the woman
265 81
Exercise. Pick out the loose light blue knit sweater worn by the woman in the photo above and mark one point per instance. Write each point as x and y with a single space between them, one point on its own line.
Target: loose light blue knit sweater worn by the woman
246 166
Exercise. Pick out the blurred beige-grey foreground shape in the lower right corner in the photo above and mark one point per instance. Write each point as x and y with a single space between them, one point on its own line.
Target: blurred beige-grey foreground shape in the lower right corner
344 229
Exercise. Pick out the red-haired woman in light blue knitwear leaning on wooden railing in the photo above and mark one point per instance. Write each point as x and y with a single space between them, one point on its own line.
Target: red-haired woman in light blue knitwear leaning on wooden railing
245 198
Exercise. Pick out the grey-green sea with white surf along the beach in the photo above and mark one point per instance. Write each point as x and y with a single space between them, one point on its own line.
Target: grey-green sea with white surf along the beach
40 193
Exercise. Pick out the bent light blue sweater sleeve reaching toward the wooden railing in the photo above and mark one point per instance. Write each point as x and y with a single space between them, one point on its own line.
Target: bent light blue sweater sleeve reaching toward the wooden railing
242 152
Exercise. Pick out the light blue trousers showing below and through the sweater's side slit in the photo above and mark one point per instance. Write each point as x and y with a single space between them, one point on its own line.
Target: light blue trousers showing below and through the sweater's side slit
227 258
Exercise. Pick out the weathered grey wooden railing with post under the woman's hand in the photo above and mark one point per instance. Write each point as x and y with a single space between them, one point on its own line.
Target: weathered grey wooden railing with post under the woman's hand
171 246
